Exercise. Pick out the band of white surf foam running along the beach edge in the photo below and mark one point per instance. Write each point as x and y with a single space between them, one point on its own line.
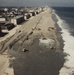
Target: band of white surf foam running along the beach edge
68 67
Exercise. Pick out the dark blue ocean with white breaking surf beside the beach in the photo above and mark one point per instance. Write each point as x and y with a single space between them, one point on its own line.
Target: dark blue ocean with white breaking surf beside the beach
65 20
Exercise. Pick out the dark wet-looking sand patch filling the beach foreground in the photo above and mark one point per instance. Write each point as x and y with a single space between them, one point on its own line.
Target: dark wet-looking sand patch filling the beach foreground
37 61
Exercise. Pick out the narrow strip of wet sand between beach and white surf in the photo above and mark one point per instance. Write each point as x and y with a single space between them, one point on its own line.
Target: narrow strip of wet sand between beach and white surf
60 39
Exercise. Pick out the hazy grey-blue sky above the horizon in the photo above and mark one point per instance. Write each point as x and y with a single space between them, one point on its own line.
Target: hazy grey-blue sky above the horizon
37 3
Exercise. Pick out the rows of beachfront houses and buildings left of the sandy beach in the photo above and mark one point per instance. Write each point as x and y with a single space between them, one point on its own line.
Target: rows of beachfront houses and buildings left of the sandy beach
8 20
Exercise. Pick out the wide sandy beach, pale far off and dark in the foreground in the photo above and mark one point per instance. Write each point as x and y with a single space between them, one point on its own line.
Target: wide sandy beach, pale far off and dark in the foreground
37 50
